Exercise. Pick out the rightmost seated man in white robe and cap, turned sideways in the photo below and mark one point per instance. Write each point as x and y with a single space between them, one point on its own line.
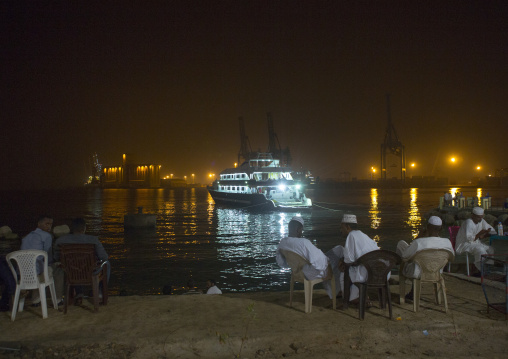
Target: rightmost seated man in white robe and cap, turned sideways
470 234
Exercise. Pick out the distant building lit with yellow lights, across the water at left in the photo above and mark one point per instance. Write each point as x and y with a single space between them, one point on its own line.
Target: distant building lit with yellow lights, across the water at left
131 175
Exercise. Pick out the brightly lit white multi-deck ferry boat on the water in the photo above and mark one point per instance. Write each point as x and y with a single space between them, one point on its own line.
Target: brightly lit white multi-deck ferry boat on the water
260 182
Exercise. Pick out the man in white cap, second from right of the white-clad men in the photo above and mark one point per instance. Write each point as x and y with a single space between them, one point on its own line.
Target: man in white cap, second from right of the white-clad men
430 240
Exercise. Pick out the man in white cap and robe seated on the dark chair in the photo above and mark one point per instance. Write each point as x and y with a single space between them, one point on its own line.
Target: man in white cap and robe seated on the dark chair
357 244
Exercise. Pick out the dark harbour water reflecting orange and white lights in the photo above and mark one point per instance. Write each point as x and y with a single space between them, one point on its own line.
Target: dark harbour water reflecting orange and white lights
194 238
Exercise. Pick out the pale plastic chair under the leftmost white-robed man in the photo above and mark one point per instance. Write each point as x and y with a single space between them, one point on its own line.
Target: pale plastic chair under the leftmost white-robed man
297 262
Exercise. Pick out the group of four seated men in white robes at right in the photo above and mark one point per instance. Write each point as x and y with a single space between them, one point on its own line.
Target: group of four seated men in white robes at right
358 243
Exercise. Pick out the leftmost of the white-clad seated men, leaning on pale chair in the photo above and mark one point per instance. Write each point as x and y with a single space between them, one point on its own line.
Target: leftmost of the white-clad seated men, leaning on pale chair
318 262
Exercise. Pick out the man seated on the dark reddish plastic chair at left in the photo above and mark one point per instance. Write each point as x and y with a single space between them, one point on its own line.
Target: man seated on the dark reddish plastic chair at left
78 236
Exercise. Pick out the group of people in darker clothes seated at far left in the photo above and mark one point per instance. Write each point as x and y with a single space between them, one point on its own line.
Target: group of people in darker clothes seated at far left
42 239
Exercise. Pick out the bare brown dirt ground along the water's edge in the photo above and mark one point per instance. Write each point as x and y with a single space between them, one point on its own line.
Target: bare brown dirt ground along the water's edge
261 325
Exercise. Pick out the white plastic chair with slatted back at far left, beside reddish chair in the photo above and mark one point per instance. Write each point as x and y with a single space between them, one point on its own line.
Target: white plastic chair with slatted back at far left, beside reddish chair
26 261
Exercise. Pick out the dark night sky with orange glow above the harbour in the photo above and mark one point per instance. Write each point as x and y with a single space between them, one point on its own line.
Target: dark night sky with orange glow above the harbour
167 81
